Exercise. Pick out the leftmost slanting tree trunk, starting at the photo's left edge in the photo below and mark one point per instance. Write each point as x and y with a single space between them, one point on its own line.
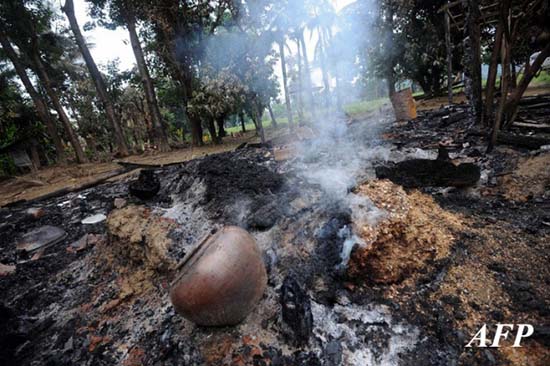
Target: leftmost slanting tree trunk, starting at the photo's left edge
39 103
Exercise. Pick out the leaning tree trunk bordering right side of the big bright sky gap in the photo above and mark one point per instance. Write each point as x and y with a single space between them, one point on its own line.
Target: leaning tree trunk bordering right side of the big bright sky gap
161 138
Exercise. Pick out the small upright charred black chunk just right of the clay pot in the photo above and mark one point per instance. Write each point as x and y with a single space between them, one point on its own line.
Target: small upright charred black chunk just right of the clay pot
296 310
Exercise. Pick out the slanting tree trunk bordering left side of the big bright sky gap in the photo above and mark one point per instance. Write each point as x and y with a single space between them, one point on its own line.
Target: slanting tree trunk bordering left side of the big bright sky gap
68 8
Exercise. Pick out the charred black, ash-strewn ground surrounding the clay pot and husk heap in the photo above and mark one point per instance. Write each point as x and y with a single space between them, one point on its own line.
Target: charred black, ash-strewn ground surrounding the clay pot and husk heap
99 305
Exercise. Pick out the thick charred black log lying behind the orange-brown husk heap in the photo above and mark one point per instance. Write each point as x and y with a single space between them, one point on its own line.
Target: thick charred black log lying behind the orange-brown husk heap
430 173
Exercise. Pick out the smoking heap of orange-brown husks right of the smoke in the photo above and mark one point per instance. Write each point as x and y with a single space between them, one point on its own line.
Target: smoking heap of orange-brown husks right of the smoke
414 233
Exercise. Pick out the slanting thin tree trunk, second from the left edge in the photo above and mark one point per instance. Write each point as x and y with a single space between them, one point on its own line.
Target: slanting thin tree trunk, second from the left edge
46 82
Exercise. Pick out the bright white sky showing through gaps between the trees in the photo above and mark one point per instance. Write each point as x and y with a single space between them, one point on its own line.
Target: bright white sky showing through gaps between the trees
113 44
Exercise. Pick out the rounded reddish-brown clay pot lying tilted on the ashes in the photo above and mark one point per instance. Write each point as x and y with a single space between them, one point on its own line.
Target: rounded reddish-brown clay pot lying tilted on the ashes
221 280
